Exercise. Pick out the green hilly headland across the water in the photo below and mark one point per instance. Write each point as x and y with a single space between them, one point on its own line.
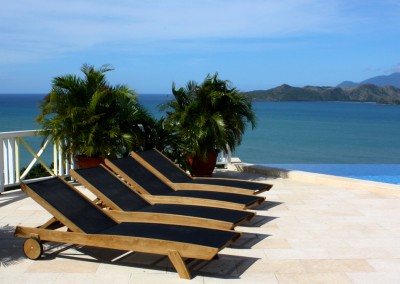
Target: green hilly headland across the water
363 93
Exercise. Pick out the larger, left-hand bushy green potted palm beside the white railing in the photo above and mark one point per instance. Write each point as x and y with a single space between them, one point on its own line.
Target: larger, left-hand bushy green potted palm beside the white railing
91 118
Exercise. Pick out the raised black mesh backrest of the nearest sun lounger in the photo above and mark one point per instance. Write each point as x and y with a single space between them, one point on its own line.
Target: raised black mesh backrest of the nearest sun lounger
71 205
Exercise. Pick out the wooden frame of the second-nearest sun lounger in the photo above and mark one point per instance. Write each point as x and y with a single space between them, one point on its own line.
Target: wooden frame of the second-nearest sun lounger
161 218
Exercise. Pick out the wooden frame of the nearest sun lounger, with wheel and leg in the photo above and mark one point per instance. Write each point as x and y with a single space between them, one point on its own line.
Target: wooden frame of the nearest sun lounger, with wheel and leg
174 250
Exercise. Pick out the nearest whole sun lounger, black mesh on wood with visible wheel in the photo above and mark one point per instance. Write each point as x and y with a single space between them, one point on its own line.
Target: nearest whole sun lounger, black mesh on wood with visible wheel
89 225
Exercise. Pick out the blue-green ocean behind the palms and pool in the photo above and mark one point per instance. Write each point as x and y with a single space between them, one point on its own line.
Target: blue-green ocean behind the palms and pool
287 133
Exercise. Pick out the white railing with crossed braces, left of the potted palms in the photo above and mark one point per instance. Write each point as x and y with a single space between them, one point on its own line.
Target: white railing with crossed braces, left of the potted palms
10 156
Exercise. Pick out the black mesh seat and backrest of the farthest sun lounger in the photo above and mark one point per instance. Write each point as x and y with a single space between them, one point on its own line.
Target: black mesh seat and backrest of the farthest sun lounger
176 175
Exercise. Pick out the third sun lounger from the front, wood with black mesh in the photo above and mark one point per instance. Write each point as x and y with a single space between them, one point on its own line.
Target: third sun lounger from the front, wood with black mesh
145 182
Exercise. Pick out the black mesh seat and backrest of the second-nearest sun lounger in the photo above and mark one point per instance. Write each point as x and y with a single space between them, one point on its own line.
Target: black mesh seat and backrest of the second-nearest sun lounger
115 192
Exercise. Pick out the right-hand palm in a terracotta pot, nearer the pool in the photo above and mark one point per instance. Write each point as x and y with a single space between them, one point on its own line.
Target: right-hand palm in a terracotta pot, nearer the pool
207 118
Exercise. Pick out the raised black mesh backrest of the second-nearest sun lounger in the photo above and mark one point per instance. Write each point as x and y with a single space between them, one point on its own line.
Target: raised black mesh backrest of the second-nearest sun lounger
112 187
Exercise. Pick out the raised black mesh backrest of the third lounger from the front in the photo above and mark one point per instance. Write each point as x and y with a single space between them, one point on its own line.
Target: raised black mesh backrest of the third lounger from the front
142 176
